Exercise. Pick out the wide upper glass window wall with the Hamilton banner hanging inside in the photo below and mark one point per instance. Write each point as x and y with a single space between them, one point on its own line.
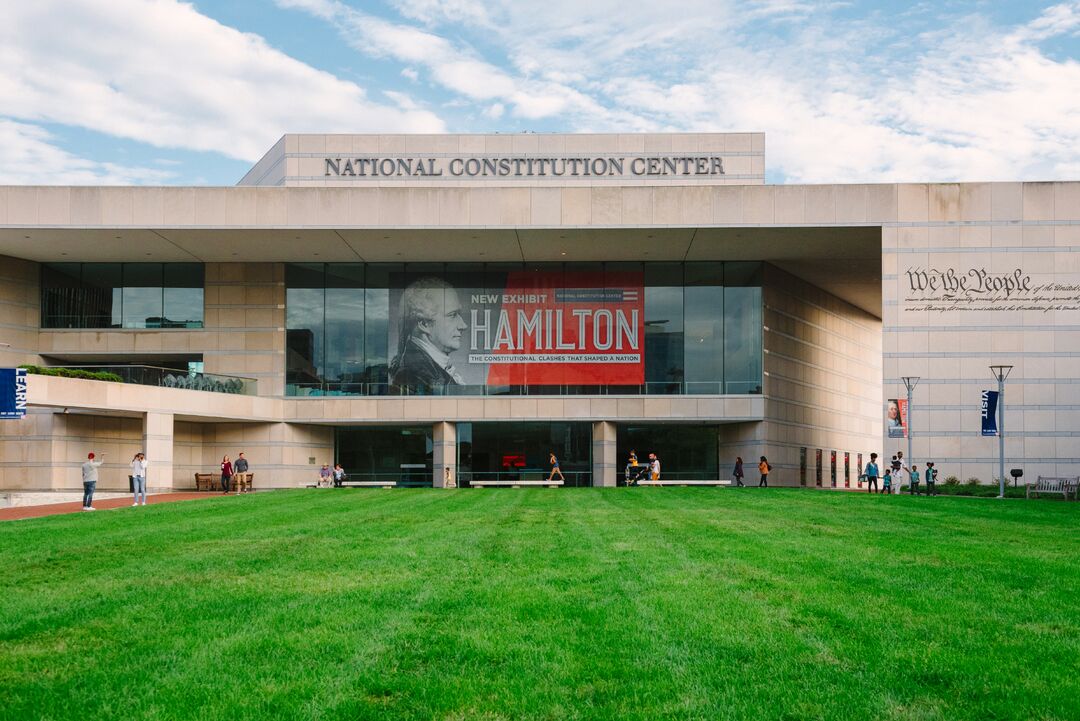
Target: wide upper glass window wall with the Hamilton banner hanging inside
524 329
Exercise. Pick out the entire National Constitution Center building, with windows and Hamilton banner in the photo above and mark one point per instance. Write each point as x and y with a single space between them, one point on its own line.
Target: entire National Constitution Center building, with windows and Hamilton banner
416 306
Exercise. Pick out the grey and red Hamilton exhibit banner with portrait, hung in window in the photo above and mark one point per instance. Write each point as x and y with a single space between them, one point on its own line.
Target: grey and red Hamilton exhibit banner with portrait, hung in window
539 329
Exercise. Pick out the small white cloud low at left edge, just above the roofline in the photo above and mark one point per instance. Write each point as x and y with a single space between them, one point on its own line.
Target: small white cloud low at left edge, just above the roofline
29 157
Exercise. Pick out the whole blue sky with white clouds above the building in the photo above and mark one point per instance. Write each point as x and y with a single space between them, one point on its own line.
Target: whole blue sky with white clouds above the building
163 92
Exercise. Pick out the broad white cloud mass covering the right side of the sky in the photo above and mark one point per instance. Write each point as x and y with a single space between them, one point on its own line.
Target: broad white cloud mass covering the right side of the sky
841 99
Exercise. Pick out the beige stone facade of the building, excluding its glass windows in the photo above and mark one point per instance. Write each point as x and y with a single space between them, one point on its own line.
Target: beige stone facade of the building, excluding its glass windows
844 318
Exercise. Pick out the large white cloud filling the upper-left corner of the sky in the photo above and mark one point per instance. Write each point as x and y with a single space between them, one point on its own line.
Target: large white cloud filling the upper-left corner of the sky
160 73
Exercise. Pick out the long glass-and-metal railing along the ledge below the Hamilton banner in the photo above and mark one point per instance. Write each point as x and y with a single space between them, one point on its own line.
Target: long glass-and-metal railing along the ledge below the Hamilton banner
674 388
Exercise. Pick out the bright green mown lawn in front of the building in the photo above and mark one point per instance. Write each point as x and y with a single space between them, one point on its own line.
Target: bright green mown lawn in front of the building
622 604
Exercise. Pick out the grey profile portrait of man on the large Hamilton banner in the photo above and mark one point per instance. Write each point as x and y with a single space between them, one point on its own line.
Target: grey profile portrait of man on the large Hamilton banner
430 333
